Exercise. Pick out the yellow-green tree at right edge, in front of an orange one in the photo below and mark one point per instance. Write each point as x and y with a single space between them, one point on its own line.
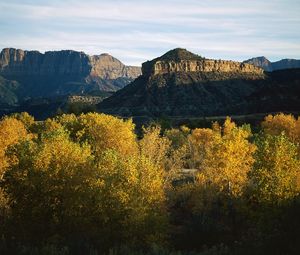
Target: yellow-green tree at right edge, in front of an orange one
276 173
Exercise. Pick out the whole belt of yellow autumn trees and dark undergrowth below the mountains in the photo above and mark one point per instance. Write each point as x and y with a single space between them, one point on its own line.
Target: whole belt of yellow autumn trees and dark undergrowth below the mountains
89 185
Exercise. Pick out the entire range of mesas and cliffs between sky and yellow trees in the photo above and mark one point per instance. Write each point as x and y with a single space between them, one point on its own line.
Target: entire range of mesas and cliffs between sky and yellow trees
178 84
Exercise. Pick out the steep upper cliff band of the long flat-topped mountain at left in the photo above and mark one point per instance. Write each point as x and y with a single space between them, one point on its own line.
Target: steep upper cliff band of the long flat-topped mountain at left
65 62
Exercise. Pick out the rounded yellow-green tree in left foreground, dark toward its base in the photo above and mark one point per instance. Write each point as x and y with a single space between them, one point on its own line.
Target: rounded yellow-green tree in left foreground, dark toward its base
48 187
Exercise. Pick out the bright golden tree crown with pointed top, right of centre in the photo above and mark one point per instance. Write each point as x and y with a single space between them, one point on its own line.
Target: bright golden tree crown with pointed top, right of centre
225 159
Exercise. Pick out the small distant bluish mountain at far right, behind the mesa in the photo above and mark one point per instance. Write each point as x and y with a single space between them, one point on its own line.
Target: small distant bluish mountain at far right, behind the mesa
268 66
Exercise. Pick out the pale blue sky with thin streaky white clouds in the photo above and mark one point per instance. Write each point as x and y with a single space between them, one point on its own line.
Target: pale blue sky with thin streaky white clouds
135 31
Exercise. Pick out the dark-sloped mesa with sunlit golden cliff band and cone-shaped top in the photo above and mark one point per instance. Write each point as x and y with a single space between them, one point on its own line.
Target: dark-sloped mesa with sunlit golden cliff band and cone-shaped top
182 84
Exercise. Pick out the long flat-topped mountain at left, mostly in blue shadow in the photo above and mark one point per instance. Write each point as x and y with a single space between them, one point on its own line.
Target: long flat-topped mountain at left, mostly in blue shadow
57 73
